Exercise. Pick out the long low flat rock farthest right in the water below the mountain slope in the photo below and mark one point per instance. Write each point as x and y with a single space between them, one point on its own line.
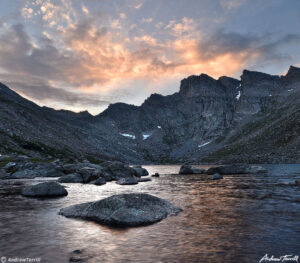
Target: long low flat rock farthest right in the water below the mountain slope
237 169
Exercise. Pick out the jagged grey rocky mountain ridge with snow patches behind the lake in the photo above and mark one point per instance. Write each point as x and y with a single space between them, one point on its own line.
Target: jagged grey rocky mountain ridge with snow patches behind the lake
255 120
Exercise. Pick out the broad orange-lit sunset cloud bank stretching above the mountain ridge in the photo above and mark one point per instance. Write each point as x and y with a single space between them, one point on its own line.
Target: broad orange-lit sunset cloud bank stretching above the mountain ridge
84 59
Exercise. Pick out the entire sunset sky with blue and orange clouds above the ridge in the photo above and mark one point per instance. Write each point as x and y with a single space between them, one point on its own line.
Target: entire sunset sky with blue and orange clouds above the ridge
86 54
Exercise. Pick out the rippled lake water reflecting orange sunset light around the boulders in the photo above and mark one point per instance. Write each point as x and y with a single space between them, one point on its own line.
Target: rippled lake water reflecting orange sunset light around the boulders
238 219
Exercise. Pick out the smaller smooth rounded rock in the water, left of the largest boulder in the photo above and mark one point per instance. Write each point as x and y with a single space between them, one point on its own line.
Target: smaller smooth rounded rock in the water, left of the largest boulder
47 189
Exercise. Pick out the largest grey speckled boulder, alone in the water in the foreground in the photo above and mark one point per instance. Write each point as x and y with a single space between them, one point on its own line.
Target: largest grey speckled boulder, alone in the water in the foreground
123 210
